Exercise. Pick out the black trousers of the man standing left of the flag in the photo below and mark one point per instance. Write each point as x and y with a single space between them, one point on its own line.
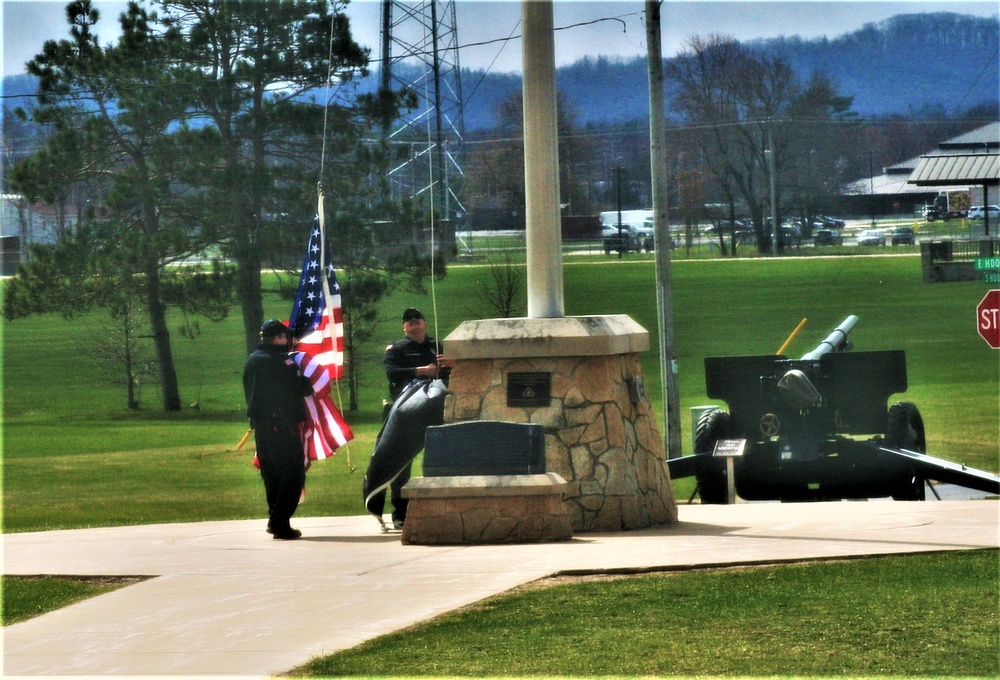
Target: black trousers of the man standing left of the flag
282 467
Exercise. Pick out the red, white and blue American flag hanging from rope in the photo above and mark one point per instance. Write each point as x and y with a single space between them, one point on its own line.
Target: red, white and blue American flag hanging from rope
318 322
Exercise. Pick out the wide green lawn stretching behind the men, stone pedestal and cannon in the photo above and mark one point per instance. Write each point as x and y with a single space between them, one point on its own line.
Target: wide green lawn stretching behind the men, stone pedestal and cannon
74 457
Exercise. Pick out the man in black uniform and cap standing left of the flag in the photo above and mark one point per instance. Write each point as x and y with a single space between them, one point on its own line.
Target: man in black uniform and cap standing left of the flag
274 391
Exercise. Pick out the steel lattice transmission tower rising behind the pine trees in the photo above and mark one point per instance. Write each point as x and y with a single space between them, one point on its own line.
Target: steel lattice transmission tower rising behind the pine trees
419 42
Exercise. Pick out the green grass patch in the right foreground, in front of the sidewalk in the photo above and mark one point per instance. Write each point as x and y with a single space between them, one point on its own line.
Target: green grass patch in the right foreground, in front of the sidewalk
921 615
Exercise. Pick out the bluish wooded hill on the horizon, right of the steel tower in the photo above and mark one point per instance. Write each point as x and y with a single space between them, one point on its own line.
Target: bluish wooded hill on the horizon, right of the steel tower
944 62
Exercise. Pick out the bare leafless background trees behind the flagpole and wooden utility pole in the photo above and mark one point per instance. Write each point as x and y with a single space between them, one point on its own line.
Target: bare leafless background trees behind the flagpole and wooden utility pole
750 136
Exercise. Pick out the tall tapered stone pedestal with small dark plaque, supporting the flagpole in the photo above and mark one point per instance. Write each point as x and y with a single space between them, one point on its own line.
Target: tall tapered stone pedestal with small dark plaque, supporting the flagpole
580 377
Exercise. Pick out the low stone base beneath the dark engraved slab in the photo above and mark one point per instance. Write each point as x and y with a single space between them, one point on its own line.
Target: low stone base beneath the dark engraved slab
486 509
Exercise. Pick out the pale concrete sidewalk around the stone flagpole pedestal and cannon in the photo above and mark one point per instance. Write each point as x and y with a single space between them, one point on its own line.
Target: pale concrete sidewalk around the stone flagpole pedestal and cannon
226 599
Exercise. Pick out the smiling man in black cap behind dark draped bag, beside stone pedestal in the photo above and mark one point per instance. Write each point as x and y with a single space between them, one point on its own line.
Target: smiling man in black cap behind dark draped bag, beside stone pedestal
416 356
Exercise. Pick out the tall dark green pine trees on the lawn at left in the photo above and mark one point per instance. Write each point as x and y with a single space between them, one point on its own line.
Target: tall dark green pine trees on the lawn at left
191 136
